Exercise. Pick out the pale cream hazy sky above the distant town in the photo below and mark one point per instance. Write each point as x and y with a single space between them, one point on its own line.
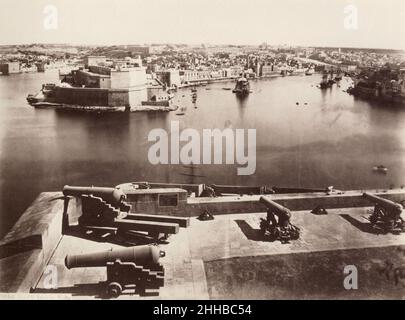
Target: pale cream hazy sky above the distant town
381 23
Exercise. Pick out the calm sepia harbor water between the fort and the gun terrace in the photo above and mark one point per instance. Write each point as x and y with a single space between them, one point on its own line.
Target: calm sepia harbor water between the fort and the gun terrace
305 137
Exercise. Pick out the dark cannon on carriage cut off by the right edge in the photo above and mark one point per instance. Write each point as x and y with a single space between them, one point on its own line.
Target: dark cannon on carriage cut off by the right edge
386 215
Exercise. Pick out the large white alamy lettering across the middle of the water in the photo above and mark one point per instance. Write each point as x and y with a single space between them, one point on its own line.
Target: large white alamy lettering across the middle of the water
188 147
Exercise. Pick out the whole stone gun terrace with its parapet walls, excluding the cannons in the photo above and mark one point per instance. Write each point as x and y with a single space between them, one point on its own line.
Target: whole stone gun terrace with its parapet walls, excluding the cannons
222 258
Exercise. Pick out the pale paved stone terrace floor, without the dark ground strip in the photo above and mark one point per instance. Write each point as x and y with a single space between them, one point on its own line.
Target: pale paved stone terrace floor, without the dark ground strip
228 236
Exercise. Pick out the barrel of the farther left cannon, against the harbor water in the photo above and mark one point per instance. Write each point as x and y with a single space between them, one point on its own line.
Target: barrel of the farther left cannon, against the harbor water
112 195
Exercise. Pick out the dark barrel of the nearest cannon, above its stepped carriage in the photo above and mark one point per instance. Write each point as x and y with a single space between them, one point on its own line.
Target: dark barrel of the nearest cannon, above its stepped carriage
142 255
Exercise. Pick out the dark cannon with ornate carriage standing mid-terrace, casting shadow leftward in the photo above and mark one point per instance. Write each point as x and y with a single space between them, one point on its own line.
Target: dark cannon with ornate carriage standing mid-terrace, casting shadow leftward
281 228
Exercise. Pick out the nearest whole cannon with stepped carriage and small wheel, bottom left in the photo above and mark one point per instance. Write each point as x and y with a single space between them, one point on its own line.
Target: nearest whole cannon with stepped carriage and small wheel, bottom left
134 267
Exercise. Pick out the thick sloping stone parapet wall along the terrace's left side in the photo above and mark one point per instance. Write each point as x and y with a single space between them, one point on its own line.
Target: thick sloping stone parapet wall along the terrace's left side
27 248
